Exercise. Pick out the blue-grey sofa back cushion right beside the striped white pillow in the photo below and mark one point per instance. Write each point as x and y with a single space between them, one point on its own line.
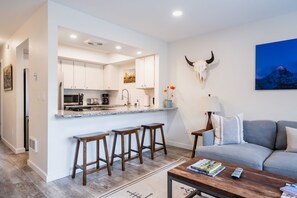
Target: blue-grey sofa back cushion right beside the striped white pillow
260 132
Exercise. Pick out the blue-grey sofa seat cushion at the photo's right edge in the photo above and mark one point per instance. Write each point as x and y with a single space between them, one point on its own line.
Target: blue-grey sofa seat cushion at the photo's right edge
282 162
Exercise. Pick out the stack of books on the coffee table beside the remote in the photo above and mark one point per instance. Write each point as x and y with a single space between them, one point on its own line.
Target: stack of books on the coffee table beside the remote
207 167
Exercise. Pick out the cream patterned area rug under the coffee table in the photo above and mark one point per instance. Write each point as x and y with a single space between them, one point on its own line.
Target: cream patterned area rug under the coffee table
151 185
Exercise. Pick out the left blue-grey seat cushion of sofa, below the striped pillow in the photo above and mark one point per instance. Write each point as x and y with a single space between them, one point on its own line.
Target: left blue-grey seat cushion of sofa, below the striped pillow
251 155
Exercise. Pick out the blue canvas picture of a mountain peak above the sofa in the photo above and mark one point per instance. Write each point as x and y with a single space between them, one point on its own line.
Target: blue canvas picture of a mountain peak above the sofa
276 65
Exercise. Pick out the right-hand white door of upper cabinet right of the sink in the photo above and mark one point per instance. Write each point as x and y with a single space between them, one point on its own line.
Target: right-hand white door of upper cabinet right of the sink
149 72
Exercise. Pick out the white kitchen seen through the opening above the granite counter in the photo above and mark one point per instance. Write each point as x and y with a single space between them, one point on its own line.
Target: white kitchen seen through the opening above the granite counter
92 73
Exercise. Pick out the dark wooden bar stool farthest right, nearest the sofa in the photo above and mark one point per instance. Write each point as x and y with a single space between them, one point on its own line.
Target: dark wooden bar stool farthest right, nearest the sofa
152 129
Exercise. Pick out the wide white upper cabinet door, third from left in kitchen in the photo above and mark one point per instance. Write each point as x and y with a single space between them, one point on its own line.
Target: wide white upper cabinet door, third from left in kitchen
94 77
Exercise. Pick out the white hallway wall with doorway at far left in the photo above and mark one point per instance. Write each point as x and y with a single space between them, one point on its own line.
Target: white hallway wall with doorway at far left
36 30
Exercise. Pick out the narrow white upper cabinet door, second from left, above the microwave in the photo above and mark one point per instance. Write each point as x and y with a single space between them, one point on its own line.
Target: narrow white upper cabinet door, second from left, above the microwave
79 75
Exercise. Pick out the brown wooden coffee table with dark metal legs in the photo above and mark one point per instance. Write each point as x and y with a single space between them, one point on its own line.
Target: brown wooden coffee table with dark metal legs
253 183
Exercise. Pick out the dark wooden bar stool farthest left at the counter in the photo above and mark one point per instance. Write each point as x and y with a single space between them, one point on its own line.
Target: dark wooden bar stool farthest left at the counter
85 139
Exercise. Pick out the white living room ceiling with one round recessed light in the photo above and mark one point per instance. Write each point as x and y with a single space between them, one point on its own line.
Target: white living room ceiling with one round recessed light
153 17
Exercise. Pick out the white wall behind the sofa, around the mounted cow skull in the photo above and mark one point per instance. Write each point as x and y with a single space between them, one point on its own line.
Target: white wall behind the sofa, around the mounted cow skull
231 77
